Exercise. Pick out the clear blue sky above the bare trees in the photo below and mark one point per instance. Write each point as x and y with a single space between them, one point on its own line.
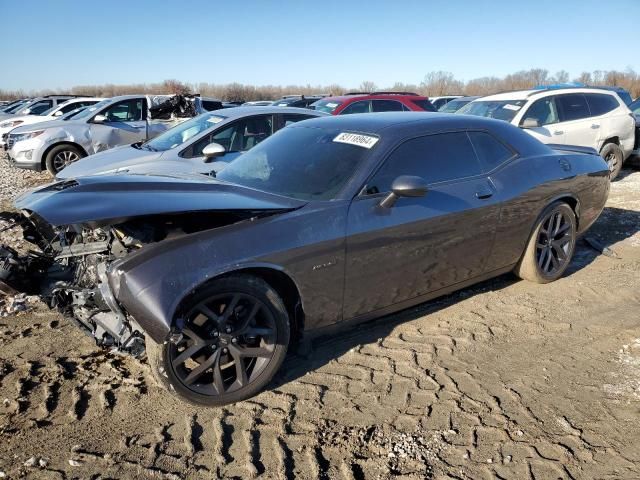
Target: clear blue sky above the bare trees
58 44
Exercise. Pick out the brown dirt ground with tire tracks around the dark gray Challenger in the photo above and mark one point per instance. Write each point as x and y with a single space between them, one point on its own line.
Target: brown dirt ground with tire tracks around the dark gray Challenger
503 380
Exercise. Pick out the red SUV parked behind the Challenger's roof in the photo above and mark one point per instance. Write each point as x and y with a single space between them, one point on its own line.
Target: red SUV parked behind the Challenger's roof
374 102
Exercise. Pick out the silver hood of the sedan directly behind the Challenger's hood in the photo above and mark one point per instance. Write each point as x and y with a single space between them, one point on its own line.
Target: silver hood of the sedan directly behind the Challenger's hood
110 161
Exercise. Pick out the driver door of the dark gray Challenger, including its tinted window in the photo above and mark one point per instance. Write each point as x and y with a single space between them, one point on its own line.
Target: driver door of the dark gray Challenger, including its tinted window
424 244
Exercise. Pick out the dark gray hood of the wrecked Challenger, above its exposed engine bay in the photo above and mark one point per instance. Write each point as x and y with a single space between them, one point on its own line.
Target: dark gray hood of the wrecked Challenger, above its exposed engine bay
108 199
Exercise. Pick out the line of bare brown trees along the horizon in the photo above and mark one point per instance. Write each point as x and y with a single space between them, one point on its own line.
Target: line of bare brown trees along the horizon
433 84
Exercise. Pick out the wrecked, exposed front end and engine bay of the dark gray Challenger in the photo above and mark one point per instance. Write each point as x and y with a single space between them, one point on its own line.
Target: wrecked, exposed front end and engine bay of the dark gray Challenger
68 266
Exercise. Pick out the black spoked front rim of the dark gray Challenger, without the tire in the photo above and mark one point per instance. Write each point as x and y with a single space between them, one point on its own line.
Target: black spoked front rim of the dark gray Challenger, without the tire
227 342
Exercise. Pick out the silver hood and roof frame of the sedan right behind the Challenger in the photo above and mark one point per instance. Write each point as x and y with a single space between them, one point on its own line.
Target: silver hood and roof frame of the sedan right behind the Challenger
135 160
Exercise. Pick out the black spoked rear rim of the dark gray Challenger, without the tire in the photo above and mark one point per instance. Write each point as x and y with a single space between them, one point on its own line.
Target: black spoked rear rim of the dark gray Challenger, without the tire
554 243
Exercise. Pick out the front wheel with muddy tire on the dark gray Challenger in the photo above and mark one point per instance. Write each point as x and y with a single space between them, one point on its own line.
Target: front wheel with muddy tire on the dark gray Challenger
235 338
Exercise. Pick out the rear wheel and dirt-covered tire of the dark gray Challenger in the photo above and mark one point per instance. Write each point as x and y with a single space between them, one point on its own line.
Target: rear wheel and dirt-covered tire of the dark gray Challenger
551 245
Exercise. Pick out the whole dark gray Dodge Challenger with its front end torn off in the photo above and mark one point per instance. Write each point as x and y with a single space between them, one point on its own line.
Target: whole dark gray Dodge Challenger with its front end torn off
328 222
